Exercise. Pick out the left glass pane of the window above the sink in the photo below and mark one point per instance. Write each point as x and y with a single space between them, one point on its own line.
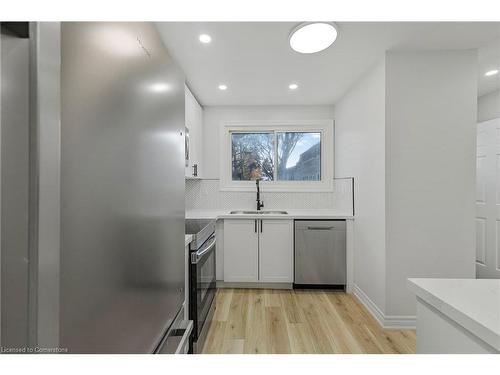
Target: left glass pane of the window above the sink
252 156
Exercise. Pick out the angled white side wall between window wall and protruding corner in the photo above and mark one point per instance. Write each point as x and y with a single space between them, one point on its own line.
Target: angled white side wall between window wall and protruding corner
360 152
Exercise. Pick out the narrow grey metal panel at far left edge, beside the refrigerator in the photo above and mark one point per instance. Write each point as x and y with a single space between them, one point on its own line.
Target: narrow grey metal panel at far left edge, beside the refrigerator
14 169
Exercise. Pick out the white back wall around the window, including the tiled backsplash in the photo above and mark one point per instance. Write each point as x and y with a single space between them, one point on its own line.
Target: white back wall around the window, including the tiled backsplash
206 193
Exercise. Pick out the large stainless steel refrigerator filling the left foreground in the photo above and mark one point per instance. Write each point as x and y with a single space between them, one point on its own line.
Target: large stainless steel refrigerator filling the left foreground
110 276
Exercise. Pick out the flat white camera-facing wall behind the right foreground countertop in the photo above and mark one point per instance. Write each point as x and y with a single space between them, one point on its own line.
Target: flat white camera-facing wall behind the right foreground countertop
431 101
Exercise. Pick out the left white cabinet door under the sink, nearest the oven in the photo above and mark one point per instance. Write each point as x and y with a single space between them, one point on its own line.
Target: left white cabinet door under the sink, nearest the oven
240 251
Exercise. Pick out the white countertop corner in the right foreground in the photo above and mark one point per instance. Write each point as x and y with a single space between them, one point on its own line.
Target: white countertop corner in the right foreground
472 303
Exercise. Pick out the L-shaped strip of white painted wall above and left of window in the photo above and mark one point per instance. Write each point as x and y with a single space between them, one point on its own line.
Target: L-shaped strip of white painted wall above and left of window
213 116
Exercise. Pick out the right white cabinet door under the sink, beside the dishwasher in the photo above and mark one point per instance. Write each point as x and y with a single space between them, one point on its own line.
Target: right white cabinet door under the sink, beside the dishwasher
276 251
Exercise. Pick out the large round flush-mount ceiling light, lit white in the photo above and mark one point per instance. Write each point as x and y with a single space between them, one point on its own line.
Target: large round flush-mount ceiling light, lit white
312 37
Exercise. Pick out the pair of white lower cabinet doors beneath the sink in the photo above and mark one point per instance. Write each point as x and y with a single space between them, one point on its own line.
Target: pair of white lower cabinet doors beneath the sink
258 250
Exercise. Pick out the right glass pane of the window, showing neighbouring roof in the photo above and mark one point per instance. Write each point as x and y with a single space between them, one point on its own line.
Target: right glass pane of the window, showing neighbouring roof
299 156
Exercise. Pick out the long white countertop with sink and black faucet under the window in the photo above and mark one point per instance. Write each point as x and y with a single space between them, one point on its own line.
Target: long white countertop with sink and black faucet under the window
292 214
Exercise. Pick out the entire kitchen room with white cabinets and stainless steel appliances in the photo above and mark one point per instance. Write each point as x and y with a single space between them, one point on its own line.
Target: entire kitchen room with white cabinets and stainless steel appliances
196 187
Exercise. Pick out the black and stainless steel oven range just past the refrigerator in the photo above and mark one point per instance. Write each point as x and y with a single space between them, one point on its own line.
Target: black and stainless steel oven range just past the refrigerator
202 278
